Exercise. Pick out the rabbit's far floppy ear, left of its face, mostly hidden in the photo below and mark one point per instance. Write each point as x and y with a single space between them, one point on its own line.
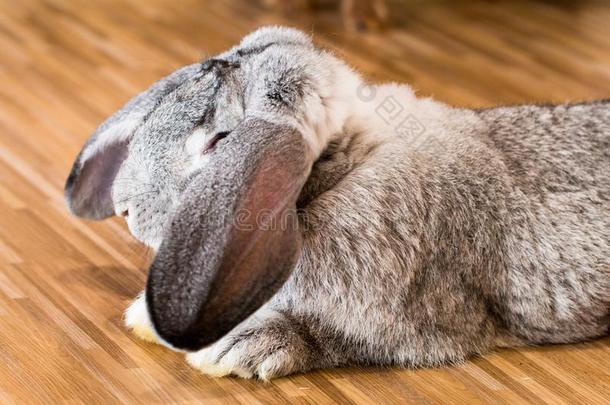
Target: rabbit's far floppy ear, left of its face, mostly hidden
88 187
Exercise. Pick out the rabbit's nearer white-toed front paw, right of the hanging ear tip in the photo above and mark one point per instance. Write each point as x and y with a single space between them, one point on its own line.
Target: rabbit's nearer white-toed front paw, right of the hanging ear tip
265 351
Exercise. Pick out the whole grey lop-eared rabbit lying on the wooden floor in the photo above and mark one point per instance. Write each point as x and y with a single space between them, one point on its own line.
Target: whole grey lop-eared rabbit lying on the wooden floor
303 218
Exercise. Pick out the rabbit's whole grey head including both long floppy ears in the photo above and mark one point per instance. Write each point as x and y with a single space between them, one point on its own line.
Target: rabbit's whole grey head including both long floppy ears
206 166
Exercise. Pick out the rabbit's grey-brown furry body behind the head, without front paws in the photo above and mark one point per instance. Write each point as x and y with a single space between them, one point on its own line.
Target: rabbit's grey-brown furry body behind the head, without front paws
462 240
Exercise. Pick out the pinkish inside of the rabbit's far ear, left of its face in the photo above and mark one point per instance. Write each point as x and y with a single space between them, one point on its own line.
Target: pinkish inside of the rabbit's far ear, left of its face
89 189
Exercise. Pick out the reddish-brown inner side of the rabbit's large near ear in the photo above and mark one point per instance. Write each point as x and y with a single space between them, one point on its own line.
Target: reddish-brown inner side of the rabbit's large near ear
264 240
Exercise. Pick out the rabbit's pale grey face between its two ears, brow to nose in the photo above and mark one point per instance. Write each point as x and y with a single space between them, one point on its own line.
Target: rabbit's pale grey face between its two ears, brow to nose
175 140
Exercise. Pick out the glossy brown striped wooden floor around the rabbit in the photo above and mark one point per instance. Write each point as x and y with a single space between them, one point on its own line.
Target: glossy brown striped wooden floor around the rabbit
64 283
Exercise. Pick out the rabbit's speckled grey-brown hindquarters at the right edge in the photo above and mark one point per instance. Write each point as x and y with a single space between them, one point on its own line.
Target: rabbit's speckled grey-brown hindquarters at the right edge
555 284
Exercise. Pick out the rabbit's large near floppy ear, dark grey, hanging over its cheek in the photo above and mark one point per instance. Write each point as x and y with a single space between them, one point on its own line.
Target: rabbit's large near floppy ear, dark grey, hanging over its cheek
233 240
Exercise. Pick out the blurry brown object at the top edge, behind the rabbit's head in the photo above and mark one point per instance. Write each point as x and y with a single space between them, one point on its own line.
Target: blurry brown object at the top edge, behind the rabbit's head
356 15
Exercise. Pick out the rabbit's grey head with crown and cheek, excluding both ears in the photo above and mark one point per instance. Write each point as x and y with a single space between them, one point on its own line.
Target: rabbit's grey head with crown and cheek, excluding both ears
280 79
